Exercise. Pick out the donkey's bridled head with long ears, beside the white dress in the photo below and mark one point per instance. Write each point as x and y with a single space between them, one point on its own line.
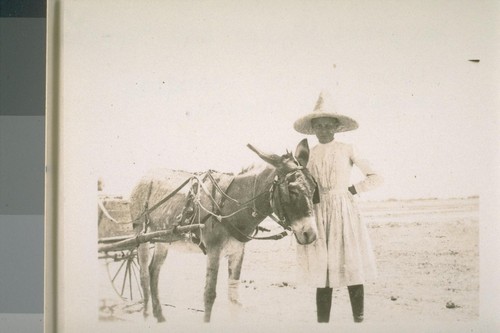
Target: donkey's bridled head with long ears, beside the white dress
293 192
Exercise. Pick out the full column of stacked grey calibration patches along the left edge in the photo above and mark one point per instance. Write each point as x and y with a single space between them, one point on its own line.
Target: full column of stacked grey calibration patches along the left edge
22 93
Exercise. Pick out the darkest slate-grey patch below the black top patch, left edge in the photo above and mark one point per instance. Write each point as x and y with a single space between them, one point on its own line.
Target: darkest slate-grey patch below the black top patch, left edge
22 66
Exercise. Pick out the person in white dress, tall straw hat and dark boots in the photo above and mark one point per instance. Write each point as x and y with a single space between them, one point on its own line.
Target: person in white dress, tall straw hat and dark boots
342 255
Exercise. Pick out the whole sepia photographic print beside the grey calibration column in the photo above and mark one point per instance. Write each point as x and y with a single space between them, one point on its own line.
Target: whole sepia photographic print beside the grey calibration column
272 166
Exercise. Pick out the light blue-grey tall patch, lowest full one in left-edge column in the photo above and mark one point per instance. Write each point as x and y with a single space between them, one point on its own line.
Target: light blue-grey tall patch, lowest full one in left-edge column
21 255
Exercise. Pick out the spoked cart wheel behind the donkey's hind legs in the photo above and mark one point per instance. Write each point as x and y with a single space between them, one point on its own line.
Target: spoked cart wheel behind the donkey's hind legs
124 274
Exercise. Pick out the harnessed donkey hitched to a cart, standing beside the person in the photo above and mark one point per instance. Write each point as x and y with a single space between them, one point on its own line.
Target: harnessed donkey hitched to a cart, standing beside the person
284 187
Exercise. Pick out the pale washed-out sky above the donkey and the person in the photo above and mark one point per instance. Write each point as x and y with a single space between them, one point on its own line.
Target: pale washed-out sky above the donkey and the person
186 85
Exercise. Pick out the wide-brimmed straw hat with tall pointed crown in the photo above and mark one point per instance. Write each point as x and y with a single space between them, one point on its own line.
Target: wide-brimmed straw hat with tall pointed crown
324 109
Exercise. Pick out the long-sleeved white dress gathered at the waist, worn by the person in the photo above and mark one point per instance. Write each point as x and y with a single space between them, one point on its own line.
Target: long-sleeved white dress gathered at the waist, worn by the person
342 255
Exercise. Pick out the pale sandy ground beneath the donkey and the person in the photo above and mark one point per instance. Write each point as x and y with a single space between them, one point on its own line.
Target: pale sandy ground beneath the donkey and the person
427 254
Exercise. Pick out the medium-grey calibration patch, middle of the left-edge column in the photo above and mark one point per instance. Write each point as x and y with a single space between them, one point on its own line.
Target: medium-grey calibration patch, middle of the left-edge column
22 162
